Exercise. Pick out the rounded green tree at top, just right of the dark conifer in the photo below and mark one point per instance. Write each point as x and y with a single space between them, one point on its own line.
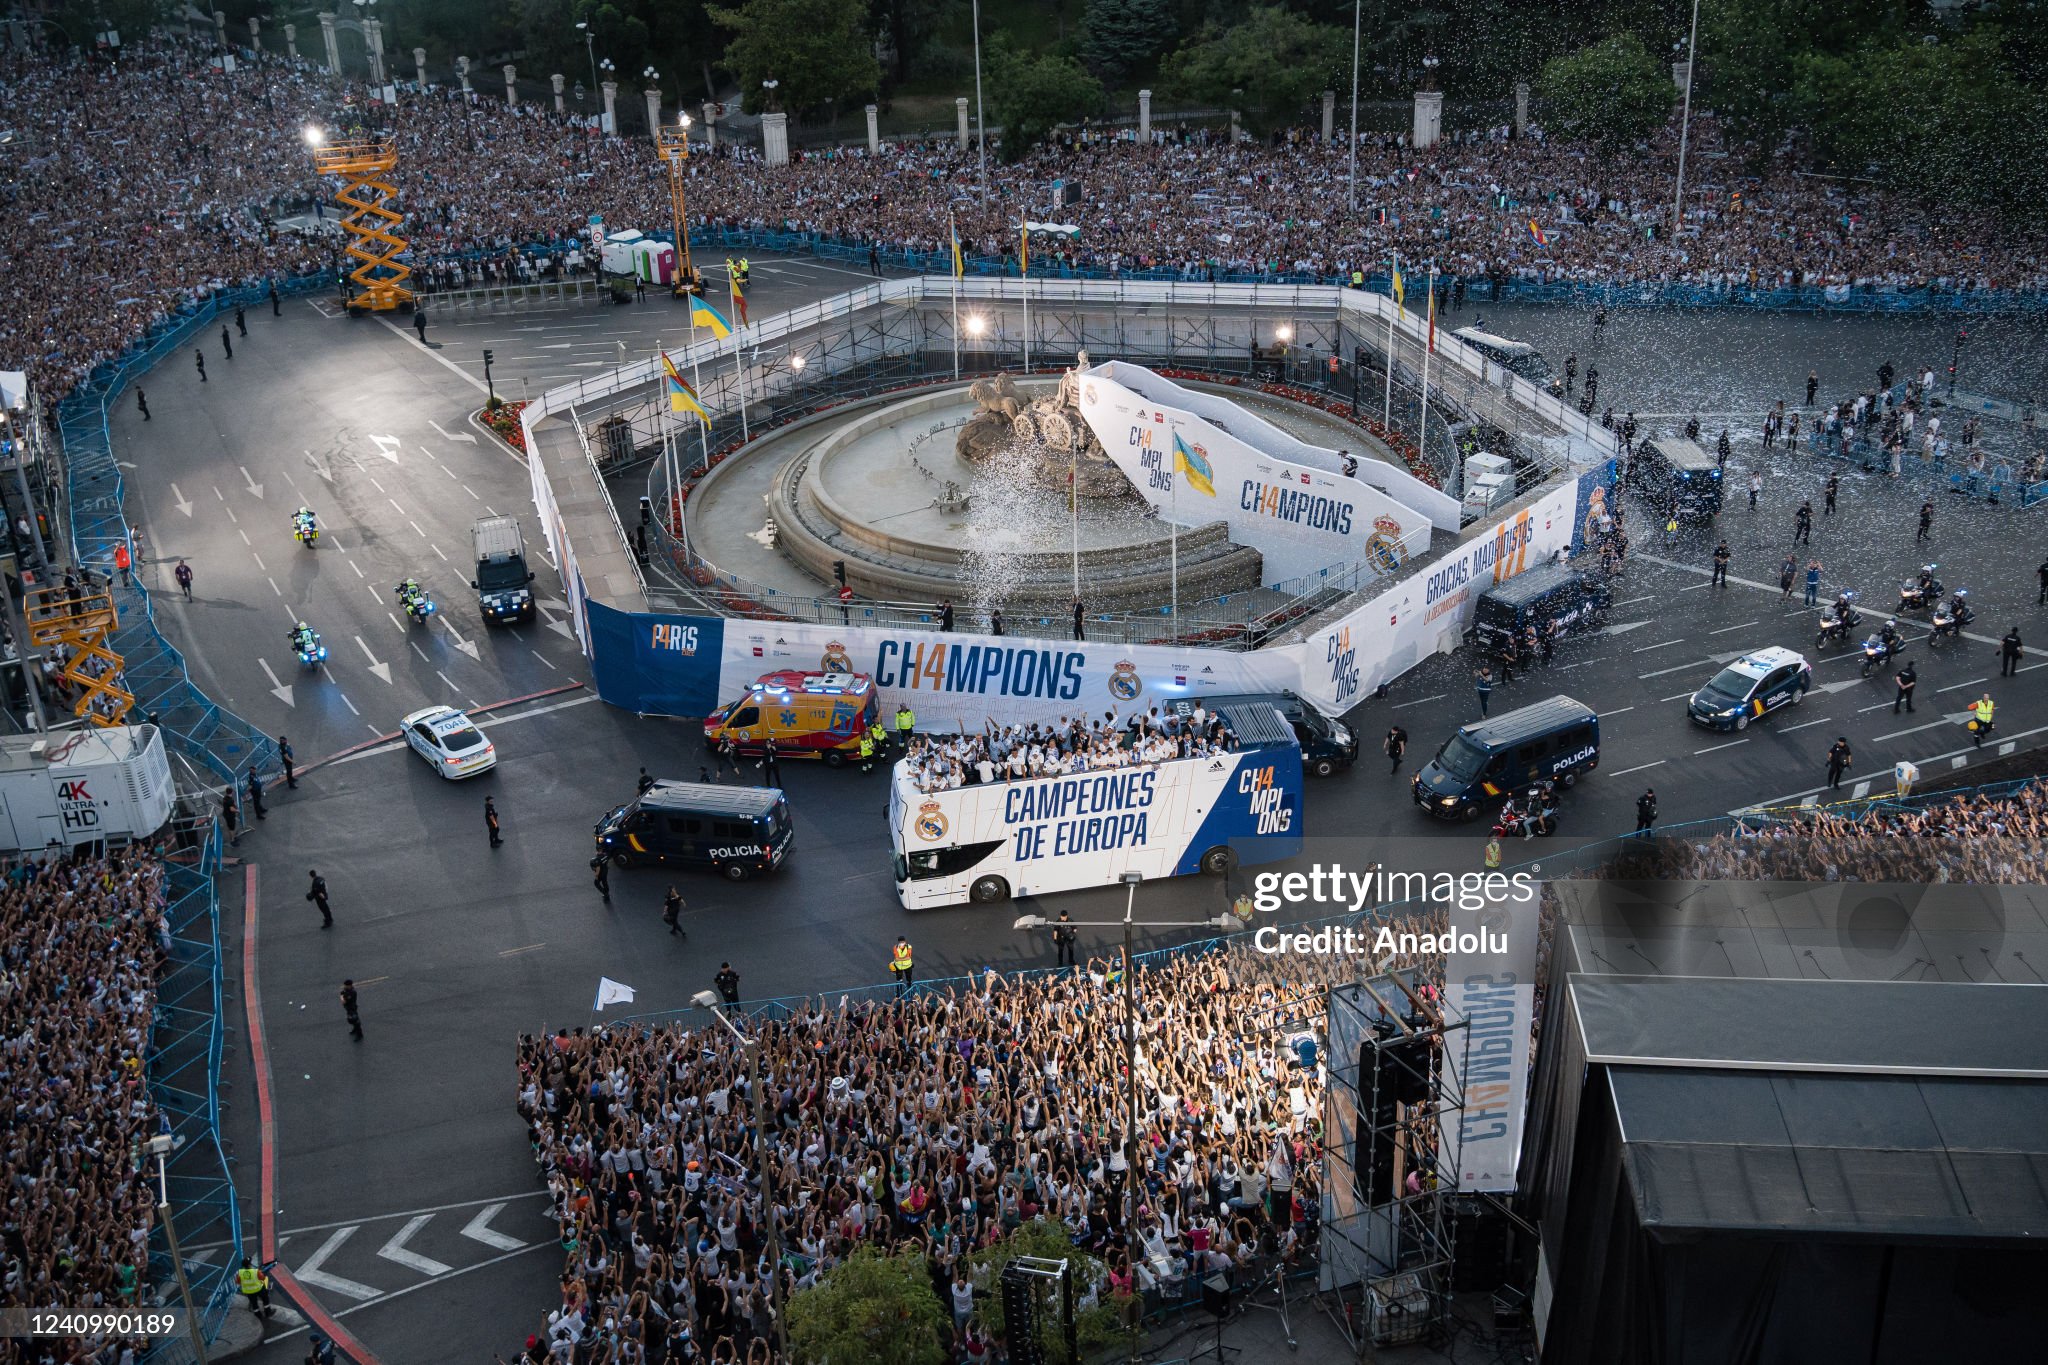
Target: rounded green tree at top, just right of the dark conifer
1277 58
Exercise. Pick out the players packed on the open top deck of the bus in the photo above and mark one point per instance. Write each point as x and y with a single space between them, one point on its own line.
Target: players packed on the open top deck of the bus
1072 746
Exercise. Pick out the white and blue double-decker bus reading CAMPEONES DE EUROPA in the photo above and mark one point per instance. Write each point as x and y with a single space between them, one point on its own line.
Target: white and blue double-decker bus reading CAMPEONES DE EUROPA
998 840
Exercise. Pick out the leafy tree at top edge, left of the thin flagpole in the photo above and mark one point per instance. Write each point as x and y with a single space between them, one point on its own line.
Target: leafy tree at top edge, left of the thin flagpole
816 50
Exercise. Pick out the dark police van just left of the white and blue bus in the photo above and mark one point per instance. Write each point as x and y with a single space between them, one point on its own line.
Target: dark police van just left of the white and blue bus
738 832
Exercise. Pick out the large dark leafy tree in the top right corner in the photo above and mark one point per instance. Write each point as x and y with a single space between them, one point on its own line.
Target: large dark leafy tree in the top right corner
1947 120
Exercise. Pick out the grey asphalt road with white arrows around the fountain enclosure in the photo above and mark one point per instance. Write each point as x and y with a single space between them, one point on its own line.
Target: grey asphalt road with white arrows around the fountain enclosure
402 1176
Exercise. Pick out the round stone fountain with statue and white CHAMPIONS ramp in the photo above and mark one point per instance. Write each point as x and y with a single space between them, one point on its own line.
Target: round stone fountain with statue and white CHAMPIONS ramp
1109 484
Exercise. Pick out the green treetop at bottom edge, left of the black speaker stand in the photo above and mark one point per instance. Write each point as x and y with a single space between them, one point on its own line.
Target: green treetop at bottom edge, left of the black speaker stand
869 1311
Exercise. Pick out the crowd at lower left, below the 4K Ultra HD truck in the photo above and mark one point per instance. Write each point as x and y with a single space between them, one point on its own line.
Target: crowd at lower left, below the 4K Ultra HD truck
81 949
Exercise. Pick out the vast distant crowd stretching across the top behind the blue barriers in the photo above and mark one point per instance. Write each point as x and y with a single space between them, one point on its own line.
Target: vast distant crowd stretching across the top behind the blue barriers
155 179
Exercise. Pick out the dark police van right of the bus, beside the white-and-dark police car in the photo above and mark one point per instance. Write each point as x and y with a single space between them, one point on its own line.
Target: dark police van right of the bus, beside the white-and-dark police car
1553 740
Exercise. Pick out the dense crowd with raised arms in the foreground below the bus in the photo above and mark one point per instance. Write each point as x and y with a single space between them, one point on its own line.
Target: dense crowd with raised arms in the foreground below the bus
933 1125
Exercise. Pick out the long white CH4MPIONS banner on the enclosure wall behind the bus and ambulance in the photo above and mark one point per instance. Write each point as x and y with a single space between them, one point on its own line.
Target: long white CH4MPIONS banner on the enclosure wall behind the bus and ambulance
962 682
